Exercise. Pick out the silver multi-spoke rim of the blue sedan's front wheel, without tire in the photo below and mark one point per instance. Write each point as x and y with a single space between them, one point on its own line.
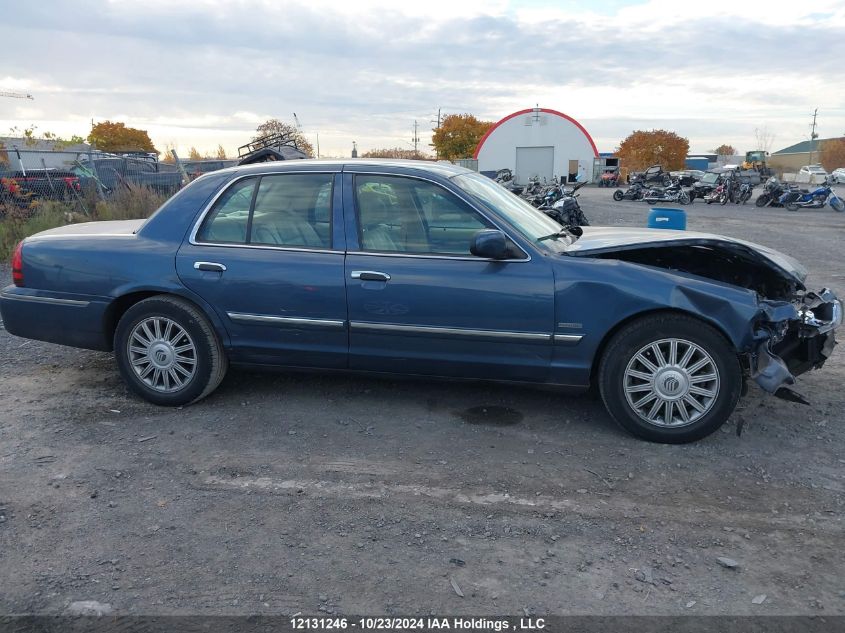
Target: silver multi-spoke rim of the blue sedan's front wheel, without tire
671 383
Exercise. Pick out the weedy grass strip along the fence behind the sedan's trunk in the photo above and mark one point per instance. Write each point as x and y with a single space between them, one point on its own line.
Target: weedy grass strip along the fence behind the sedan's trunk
125 204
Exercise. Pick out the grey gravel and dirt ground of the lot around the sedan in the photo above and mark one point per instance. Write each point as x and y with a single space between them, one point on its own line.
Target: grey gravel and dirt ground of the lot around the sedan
345 494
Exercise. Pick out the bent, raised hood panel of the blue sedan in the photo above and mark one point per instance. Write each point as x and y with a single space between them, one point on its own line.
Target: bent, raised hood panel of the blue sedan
608 239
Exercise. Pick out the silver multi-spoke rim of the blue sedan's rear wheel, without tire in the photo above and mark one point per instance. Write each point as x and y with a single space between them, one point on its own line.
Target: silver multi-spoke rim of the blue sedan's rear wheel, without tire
162 354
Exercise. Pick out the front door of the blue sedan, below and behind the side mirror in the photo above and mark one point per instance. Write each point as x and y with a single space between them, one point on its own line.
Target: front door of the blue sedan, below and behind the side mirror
420 303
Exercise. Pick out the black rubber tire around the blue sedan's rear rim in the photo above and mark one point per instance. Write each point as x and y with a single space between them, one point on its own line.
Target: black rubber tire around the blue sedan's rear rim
209 358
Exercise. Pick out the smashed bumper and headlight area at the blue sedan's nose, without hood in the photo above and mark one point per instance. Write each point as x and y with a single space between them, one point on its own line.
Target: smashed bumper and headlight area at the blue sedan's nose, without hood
792 339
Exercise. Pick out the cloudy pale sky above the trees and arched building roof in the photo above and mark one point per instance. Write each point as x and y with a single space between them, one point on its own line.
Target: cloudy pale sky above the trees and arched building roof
205 72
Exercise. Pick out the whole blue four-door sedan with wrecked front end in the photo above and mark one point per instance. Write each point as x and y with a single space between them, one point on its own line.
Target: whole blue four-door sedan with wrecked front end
426 269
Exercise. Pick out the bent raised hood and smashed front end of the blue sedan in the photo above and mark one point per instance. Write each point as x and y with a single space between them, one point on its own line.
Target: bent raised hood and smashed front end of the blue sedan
793 329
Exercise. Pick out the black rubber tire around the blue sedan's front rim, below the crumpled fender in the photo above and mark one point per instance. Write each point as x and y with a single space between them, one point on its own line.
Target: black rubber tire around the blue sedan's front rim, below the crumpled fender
624 347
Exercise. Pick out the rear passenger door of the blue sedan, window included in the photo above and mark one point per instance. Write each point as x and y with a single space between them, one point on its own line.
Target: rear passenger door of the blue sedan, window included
264 257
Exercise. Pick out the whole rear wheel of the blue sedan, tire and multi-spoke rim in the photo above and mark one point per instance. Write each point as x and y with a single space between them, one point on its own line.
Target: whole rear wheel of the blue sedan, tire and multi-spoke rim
168 352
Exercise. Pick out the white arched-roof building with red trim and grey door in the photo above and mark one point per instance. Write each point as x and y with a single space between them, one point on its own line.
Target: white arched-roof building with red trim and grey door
538 142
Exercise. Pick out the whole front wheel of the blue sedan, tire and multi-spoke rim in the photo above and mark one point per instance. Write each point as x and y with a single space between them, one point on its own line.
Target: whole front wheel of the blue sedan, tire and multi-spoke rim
670 378
